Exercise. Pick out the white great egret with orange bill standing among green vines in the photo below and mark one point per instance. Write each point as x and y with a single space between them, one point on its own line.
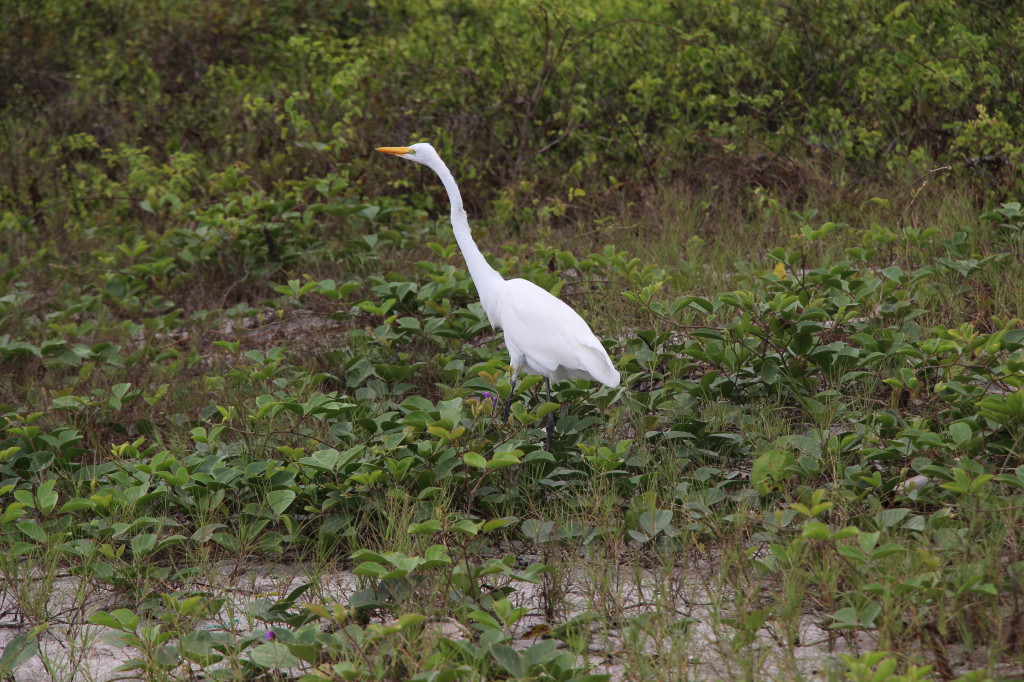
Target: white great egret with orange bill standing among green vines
544 335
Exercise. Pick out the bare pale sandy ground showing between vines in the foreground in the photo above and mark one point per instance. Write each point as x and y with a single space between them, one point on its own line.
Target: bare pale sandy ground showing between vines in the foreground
706 649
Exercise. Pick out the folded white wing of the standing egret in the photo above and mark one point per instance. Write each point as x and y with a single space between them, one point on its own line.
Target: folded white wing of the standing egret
551 336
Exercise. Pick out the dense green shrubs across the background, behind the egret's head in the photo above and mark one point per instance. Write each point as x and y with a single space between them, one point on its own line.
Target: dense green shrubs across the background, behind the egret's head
612 96
